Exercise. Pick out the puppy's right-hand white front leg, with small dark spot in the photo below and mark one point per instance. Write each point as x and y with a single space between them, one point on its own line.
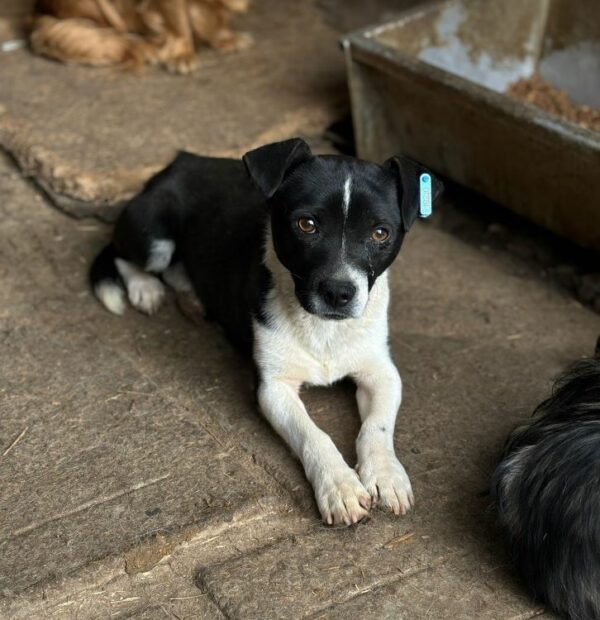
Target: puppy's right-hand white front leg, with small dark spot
379 392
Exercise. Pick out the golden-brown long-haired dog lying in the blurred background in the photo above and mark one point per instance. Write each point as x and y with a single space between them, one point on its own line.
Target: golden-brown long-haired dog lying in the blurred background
133 32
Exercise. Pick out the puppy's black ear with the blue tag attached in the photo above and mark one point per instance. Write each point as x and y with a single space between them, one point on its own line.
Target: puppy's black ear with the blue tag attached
409 174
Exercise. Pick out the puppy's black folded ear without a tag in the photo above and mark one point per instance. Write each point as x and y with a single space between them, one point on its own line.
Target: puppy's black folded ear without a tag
268 165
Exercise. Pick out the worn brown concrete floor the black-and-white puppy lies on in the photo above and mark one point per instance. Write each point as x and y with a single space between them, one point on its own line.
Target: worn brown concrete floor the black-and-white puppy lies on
138 480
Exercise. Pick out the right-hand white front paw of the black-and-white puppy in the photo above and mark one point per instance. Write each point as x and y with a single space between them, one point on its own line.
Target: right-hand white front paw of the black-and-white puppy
386 480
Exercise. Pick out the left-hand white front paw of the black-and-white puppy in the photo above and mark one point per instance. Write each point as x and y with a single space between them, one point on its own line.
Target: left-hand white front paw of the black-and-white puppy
341 497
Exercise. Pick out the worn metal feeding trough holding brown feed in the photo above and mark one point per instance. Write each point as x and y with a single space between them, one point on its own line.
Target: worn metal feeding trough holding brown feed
432 85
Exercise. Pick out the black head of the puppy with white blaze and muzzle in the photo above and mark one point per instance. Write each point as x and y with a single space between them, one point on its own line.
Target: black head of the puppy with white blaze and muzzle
337 223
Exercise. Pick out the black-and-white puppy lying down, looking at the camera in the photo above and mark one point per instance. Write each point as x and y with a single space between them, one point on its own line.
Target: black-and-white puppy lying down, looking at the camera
288 251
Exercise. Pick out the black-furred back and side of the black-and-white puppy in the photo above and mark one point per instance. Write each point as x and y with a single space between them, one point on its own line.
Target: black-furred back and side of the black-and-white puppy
190 203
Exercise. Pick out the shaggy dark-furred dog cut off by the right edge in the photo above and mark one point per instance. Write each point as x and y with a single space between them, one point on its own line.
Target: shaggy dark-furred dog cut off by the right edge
547 495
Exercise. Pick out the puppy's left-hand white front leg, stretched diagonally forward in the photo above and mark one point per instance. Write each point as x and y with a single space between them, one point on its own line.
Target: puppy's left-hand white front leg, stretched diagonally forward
339 493
